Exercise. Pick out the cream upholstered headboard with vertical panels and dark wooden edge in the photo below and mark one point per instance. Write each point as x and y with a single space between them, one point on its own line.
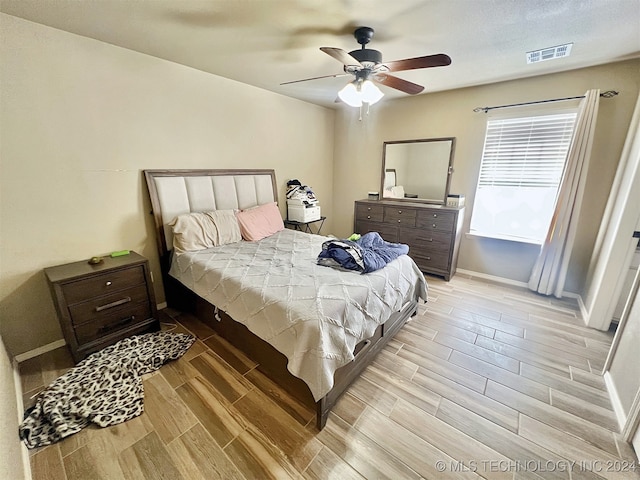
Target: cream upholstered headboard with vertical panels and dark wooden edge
174 192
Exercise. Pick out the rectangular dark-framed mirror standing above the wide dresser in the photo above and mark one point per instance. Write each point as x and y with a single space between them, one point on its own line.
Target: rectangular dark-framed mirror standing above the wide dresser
418 170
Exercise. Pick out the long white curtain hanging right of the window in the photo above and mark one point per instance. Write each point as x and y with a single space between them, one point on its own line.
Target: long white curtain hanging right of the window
550 271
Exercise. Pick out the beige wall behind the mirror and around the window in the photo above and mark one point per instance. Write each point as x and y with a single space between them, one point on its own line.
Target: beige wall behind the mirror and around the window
358 156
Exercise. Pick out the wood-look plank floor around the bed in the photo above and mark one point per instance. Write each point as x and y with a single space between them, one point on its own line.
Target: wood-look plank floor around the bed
487 381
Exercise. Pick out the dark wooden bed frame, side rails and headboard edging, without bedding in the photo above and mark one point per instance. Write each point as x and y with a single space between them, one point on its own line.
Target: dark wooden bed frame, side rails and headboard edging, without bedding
271 362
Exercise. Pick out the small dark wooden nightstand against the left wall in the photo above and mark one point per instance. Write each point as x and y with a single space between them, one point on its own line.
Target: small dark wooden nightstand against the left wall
99 305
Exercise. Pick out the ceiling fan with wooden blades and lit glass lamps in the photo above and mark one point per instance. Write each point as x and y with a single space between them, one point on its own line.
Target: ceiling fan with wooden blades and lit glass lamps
367 67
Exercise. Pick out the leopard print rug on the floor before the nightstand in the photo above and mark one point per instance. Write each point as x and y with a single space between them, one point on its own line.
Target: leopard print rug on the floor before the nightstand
105 388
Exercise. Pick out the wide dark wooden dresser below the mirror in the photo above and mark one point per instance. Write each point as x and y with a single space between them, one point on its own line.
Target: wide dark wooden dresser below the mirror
432 233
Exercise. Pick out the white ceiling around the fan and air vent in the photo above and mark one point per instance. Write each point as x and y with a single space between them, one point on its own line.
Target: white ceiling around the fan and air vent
267 42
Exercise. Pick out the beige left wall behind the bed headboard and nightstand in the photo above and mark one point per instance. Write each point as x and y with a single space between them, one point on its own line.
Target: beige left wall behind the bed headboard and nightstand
80 119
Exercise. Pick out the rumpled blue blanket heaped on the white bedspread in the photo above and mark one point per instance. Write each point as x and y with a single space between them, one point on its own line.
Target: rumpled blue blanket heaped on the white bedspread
367 254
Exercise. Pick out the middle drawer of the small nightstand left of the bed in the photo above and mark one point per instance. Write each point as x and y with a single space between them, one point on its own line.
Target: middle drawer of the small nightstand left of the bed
107 305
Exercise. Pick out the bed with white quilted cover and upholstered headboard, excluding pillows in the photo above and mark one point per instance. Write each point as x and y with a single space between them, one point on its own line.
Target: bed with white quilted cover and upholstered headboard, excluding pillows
312 329
